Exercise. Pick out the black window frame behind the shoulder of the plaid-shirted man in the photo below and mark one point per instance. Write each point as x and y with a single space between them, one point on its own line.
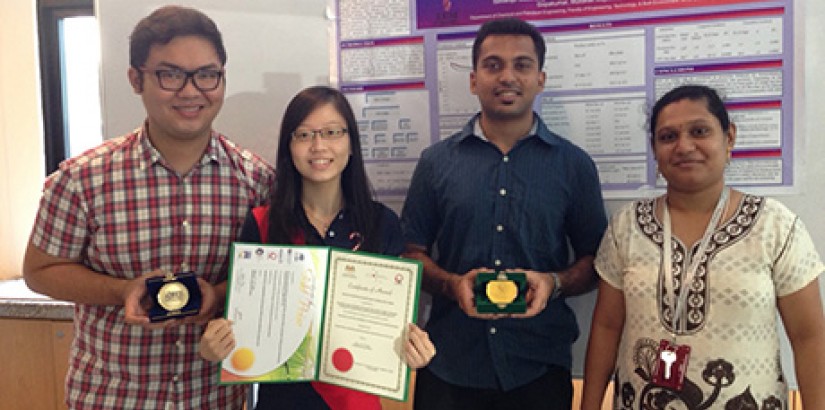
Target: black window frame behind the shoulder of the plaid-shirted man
49 15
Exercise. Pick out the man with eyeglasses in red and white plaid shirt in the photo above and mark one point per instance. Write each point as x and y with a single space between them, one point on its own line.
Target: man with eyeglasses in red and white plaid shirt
169 197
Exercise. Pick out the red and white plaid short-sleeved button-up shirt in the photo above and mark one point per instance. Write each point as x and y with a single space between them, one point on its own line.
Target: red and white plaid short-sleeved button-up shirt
123 212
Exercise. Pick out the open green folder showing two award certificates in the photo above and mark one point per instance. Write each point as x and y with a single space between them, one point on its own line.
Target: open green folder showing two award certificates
304 313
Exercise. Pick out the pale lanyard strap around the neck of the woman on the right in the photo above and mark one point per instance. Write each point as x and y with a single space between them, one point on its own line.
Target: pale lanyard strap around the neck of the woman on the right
679 308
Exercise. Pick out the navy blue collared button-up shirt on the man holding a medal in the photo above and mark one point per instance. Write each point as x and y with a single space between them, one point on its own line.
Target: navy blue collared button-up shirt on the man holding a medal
473 206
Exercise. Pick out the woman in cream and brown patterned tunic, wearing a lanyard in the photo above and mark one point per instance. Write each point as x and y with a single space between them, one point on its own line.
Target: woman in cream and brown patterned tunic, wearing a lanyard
733 259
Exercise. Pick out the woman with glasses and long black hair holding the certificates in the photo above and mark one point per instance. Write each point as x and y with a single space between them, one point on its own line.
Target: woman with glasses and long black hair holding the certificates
321 197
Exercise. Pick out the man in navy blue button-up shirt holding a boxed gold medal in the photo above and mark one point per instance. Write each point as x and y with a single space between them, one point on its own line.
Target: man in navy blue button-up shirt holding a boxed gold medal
503 193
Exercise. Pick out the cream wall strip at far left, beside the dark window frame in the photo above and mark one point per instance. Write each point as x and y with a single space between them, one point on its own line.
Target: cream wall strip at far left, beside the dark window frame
21 134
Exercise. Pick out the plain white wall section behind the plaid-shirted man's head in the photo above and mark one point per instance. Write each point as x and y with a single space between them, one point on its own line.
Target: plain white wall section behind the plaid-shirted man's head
274 47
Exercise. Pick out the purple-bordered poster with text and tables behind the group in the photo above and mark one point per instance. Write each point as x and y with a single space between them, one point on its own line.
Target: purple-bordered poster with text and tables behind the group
405 66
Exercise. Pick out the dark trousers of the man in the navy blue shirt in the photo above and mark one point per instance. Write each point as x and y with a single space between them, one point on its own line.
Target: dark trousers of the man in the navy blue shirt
552 391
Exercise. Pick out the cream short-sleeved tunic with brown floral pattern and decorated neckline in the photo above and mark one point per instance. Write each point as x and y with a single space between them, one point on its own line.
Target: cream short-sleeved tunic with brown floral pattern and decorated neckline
760 254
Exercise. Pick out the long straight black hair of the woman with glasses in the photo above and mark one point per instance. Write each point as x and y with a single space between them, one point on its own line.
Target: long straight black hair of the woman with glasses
285 207
